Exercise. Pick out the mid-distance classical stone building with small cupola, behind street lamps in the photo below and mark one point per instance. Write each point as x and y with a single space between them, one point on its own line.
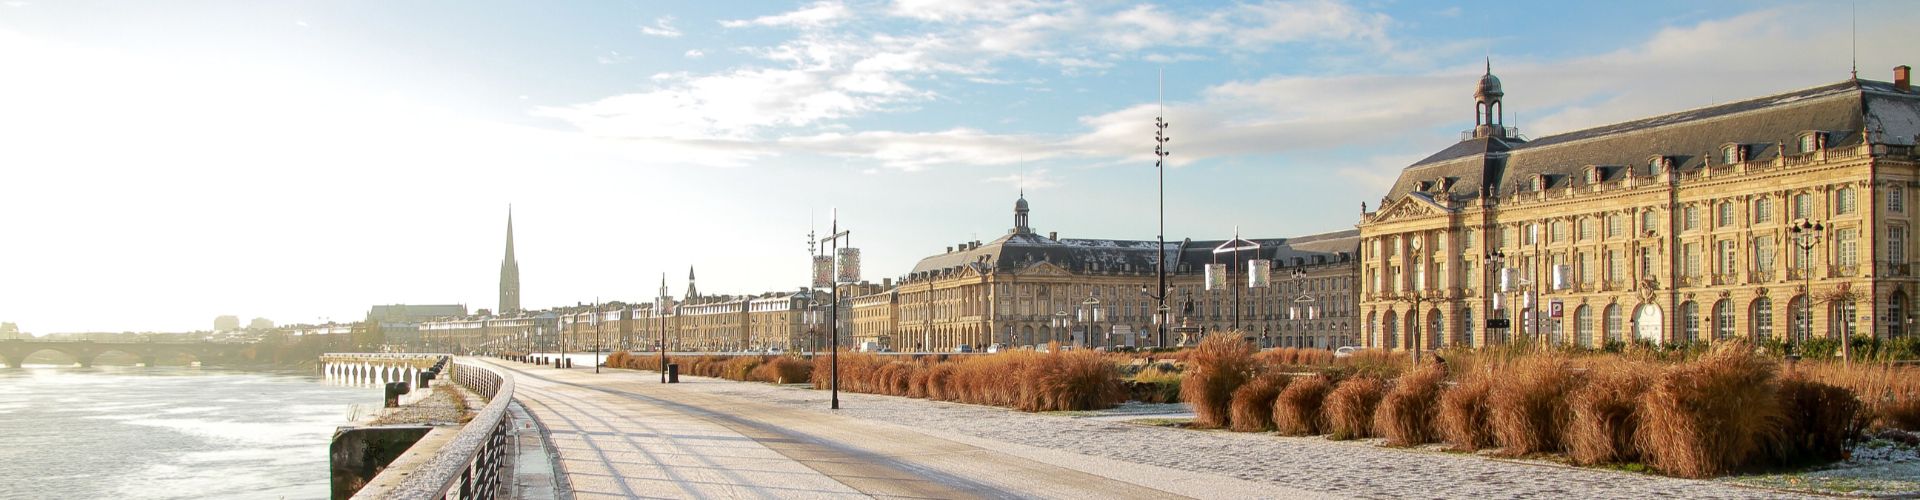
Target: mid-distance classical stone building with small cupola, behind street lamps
1030 289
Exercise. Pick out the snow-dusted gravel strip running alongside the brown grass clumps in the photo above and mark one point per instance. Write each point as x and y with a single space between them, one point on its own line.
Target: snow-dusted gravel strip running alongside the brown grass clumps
1356 470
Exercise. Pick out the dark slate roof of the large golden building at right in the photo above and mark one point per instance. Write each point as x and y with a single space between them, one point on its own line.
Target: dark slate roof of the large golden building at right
1850 112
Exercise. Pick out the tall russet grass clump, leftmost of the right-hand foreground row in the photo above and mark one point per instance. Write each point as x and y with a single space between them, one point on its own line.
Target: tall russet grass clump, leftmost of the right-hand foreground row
1214 370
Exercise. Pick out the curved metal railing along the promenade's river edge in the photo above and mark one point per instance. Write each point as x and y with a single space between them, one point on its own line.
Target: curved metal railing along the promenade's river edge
469 464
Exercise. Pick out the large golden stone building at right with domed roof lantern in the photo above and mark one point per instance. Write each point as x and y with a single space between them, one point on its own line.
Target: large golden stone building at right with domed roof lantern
1733 220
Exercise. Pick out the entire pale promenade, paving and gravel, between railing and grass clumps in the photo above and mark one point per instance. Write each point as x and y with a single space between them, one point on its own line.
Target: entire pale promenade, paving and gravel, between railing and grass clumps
623 434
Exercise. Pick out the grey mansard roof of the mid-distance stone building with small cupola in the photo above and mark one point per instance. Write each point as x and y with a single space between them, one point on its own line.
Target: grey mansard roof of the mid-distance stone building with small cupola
1020 251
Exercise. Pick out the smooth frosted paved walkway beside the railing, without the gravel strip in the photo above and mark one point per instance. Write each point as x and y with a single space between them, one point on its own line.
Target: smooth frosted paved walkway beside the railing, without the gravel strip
623 436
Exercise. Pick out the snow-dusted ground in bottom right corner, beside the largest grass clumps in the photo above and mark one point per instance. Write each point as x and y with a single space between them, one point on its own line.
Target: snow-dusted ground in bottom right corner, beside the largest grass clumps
1886 464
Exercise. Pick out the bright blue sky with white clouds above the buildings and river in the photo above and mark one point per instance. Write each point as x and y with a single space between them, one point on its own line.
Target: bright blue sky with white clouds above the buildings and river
170 162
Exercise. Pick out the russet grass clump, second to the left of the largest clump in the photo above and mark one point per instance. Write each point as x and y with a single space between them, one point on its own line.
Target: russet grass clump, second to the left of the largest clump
1529 405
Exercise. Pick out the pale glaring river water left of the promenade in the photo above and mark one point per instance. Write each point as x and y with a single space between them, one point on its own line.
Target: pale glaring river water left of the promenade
170 432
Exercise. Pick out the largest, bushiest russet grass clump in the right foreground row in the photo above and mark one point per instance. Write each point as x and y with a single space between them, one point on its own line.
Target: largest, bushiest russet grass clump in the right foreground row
1712 416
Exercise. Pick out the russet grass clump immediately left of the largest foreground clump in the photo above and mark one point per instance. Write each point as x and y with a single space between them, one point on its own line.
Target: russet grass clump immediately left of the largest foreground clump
1606 412
